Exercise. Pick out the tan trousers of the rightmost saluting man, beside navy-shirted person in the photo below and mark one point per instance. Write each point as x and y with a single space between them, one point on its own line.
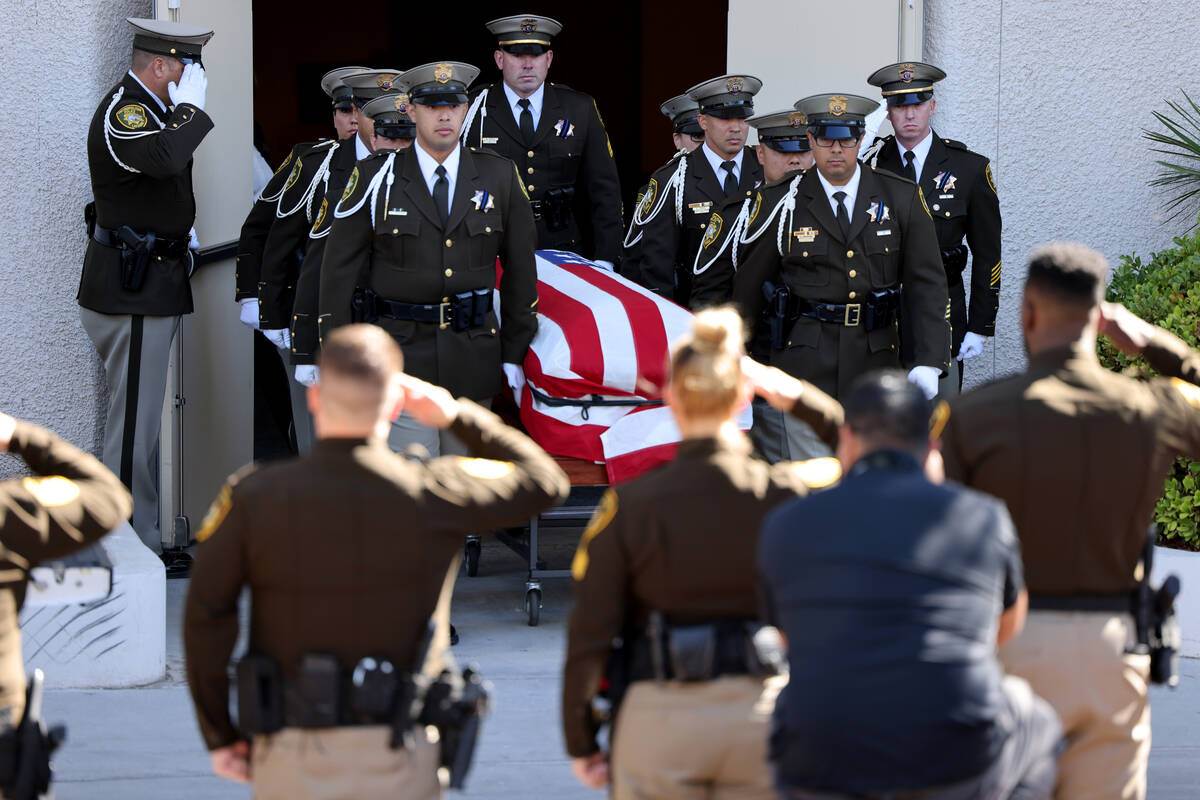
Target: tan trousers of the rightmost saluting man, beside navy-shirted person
1077 661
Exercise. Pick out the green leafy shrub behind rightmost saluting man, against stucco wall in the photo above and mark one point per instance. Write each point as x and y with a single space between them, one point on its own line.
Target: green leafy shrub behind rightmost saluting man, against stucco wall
1166 292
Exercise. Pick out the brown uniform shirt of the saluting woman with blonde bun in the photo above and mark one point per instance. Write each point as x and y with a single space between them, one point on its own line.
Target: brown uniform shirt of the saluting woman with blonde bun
681 540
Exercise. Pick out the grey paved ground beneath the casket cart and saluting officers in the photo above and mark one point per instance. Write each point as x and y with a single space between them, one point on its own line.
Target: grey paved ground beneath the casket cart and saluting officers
137 744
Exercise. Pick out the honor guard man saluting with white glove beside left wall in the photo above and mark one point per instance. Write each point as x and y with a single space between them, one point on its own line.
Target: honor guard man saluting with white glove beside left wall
136 273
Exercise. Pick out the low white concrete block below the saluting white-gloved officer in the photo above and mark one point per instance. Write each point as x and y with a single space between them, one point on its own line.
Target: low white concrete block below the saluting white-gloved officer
112 643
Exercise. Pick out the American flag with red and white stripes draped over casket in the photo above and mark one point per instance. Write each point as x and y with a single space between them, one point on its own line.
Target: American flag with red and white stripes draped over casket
601 338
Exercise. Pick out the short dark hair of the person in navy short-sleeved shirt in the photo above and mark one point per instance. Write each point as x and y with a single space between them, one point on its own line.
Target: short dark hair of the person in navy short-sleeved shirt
886 410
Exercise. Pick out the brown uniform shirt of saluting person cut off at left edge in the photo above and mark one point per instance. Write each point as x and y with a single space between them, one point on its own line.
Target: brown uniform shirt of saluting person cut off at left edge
71 502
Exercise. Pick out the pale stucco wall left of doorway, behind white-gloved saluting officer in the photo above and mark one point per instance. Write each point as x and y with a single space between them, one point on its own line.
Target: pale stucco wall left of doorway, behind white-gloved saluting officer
58 61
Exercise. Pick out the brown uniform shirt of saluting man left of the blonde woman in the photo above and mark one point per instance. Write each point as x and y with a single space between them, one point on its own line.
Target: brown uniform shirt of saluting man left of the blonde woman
347 551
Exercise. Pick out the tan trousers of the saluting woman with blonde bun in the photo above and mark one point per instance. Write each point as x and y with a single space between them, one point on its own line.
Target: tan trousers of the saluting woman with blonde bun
695 742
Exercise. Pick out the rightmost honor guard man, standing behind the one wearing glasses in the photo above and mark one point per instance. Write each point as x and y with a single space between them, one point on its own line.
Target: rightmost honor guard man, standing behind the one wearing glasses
962 195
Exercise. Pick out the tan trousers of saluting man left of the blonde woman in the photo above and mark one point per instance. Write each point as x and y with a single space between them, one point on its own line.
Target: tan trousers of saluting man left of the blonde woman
344 765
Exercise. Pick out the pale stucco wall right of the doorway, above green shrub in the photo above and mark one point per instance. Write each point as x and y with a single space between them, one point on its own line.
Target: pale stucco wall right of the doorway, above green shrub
1057 95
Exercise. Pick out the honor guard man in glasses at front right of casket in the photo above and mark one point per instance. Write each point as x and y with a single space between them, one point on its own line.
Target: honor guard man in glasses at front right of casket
857 250
